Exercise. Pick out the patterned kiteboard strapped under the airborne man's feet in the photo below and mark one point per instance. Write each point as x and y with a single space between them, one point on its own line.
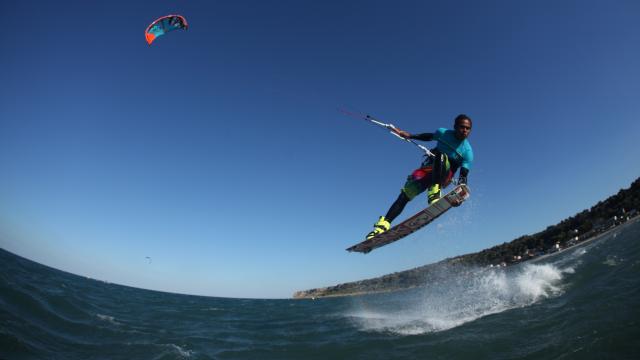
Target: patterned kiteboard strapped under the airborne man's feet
458 195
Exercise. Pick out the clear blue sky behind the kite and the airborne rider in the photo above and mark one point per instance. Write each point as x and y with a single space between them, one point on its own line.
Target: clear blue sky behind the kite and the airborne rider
219 153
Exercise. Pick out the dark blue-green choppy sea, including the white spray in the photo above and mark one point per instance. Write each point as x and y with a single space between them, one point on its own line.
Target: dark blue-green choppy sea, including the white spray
582 303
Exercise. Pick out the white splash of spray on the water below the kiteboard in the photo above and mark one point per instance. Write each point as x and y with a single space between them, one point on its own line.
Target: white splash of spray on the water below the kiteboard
464 296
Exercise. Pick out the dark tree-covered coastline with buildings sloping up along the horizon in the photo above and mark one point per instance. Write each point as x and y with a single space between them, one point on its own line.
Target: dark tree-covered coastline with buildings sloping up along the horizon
584 227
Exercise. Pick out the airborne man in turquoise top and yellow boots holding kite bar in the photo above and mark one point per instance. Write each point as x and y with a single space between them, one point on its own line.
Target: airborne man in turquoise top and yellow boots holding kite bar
452 152
